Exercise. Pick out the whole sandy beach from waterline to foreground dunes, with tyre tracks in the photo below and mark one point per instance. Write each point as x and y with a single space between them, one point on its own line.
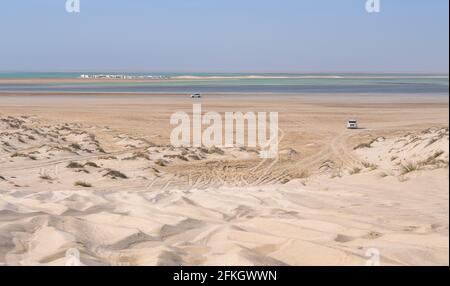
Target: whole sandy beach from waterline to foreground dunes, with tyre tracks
98 174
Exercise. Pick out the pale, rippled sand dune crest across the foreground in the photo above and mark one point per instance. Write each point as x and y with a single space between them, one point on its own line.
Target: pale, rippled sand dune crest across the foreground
276 225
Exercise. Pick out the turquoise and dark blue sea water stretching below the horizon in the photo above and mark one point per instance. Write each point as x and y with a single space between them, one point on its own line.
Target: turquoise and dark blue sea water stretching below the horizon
240 82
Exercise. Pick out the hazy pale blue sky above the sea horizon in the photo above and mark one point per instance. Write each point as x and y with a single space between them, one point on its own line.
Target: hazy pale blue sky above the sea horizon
225 36
